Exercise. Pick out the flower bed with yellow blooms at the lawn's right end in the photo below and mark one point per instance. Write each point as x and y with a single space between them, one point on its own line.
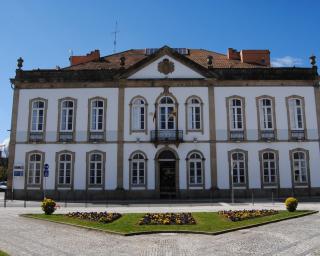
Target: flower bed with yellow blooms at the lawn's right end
246 214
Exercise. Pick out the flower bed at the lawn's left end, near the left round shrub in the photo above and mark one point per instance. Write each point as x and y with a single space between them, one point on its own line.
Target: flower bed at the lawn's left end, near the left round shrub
103 217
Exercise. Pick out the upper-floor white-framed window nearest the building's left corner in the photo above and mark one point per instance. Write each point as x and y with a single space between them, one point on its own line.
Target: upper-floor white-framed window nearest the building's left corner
37 116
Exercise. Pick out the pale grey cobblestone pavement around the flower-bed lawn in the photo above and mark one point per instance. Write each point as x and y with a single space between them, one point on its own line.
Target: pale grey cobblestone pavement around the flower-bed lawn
21 236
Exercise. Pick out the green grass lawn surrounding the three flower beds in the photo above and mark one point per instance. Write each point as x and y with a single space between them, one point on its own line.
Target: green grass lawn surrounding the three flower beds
207 222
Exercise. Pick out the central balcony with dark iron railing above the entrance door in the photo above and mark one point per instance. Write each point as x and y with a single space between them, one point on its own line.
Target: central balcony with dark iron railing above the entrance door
167 136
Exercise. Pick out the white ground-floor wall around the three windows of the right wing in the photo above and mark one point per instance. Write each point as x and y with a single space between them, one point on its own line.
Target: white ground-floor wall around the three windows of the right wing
254 165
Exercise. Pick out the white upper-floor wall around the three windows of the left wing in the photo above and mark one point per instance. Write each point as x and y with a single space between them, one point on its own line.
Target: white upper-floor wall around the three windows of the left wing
82 96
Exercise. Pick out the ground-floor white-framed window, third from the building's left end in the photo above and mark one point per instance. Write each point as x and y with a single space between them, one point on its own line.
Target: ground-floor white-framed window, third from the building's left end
96 169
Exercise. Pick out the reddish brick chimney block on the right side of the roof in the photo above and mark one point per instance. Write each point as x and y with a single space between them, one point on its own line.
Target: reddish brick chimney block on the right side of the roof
256 57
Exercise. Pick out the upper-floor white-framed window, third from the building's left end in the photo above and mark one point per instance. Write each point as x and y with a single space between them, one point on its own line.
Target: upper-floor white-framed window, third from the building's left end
97 115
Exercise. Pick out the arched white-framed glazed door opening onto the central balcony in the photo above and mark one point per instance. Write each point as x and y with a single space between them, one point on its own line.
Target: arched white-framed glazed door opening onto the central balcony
167 113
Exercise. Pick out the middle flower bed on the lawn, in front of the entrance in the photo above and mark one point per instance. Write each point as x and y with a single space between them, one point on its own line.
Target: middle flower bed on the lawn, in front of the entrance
167 219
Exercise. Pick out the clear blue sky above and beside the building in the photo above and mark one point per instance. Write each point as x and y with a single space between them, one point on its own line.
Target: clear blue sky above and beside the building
43 32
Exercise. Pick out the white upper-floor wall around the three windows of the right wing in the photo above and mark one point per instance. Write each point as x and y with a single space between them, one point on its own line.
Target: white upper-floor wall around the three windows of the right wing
250 94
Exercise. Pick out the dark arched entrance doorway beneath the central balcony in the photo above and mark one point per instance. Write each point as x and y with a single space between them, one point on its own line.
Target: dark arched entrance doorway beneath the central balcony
167 173
